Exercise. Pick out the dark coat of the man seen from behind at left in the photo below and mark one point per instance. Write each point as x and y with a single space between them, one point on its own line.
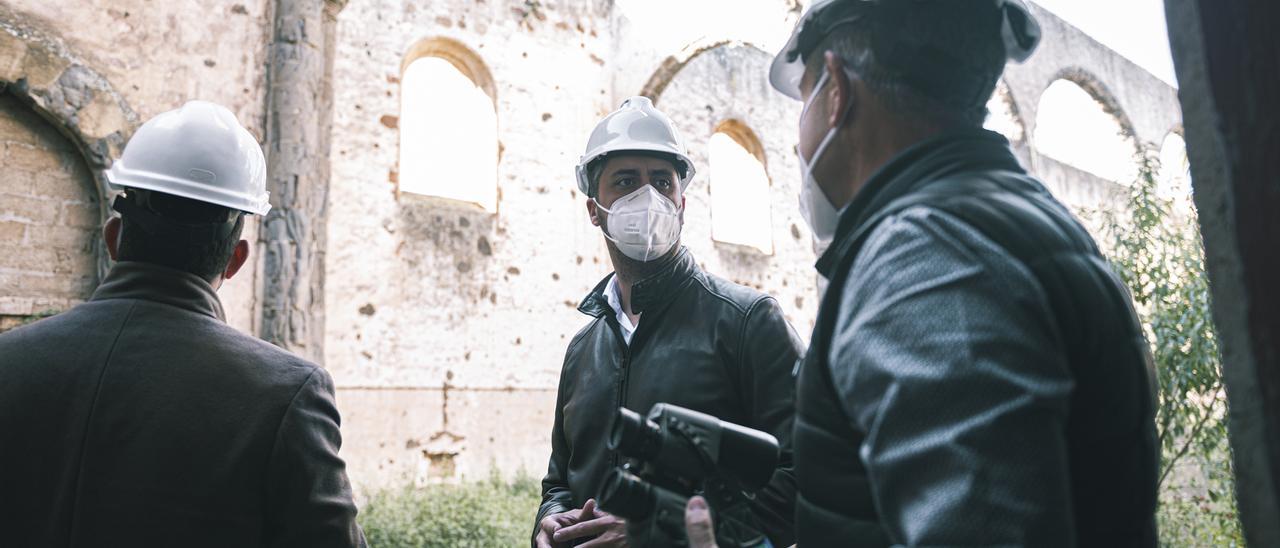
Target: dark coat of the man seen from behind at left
141 419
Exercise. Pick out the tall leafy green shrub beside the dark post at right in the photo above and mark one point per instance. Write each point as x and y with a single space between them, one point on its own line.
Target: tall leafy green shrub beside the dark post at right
1162 259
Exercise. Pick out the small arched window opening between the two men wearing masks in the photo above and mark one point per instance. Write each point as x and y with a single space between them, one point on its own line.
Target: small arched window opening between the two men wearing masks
740 189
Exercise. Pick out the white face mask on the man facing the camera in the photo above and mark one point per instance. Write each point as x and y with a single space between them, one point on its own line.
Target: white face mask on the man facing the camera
644 225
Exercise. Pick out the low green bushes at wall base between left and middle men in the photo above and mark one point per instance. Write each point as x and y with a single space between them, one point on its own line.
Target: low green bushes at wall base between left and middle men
482 514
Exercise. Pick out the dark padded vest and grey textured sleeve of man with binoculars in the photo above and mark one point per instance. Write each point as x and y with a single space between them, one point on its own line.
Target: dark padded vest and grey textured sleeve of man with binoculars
1084 318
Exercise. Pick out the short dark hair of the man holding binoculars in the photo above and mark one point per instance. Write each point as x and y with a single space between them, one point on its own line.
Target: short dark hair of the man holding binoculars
958 42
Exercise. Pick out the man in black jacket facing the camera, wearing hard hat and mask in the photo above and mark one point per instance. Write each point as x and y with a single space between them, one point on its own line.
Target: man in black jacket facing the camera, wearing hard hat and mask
661 330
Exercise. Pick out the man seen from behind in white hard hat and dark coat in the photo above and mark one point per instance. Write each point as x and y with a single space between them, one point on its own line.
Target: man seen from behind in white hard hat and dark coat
140 418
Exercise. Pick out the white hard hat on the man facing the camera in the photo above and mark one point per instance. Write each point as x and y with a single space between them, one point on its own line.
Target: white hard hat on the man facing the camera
637 126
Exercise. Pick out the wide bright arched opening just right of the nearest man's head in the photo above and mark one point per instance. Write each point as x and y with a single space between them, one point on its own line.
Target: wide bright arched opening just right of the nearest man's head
1076 129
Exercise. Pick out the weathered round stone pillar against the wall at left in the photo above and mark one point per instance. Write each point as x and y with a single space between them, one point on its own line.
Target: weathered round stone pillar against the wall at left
292 238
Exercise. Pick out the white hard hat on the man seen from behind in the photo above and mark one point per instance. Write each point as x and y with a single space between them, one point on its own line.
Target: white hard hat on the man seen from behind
199 152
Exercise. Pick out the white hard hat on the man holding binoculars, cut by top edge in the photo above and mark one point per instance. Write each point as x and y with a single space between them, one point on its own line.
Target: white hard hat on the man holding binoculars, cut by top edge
1020 31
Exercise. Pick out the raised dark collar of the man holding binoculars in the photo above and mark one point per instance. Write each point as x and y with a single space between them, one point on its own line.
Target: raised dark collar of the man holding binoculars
936 158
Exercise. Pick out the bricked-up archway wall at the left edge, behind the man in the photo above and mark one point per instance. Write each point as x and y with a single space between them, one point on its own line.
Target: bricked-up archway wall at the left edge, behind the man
49 218
